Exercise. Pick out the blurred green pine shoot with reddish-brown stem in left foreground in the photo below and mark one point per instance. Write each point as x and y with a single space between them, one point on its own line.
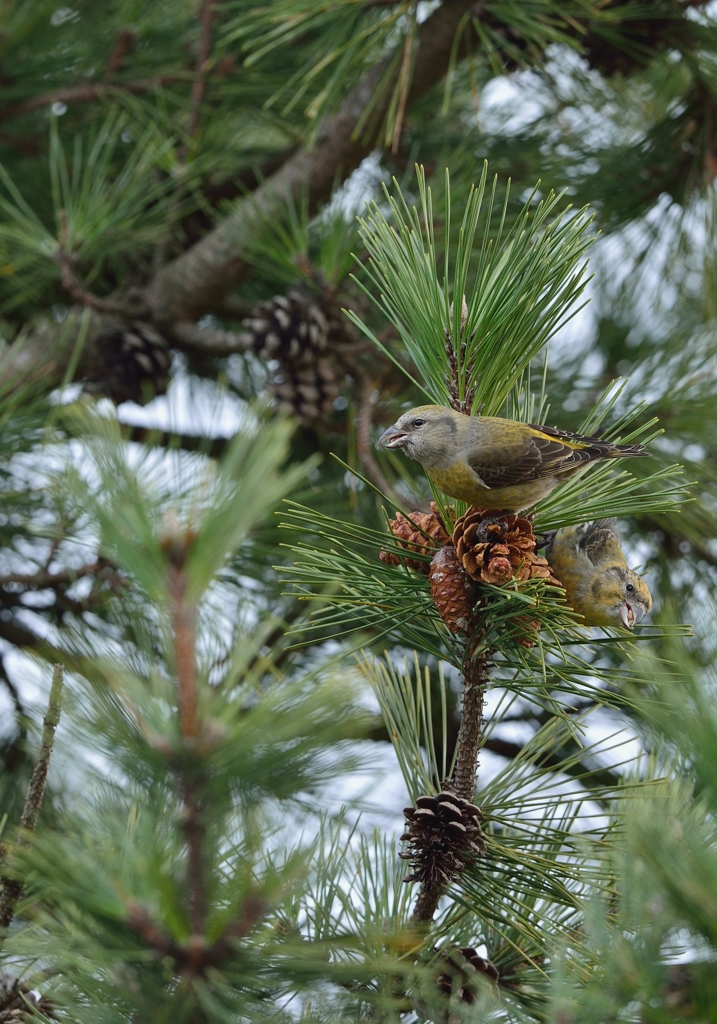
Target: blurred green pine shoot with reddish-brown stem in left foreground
181 837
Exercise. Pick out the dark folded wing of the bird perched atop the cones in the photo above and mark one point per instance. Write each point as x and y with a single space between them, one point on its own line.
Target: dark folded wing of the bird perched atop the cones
545 453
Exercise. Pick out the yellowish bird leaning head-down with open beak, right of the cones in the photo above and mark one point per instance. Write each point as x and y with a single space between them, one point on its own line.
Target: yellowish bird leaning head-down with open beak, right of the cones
591 565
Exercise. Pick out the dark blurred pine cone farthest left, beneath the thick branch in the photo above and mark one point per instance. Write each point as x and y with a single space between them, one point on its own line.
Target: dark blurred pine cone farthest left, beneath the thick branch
131 363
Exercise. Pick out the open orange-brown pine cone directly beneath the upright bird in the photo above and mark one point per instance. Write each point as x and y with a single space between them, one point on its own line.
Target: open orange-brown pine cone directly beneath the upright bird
497 549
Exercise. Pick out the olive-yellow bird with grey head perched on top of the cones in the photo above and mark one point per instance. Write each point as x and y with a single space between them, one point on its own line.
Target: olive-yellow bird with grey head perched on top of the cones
495 463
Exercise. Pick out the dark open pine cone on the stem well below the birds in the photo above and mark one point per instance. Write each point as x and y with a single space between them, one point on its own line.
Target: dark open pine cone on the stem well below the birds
444 835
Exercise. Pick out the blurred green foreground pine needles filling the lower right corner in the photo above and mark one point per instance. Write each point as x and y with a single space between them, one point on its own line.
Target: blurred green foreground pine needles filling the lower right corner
654 936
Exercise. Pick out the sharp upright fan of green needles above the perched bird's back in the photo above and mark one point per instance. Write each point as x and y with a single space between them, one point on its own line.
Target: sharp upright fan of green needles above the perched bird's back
522 289
